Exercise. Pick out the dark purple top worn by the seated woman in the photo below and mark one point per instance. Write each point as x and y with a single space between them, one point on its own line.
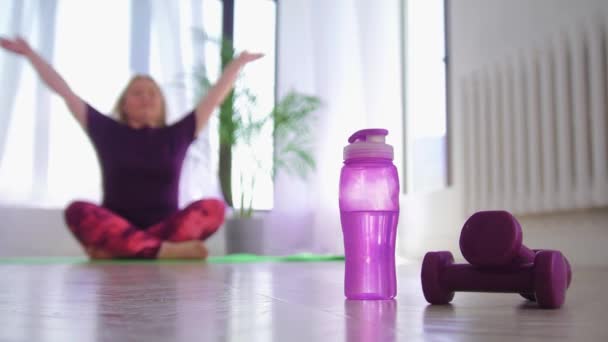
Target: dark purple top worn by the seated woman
140 167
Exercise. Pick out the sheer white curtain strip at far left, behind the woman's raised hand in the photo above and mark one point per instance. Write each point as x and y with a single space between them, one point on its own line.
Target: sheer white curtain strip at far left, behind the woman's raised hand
35 21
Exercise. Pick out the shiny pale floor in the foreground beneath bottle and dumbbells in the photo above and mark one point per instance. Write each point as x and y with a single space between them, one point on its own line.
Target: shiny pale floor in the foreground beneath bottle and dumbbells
271 302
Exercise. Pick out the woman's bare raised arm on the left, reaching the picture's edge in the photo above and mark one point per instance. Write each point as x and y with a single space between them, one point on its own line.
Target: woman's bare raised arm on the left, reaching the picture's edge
52 79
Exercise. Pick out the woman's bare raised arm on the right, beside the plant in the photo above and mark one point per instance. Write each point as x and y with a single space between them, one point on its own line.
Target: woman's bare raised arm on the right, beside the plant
216 95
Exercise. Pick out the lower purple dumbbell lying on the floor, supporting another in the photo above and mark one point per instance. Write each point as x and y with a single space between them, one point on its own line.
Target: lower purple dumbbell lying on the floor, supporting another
546 278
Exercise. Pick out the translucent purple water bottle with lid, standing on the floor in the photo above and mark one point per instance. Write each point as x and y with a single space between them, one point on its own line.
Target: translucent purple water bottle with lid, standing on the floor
369 211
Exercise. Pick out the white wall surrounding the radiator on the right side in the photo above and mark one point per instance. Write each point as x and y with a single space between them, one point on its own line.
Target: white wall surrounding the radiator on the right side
482 31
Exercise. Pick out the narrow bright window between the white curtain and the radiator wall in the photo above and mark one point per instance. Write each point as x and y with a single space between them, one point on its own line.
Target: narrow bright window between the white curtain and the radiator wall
426 145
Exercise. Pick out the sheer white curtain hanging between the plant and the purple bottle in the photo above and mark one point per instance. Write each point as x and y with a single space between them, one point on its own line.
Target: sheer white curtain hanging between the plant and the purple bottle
347 53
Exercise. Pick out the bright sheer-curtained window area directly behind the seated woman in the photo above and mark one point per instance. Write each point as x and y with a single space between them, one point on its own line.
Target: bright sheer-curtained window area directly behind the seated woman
43 154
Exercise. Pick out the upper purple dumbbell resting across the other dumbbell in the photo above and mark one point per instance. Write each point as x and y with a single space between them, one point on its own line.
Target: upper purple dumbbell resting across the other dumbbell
492 239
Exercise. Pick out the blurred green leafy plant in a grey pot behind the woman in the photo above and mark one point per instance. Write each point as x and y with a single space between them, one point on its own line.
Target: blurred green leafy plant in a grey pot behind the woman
290 119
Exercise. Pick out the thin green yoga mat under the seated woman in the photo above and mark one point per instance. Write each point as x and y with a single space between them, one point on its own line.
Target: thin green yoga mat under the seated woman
224 259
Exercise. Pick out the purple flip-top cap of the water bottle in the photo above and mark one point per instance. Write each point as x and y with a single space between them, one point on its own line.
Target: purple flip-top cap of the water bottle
368 143
